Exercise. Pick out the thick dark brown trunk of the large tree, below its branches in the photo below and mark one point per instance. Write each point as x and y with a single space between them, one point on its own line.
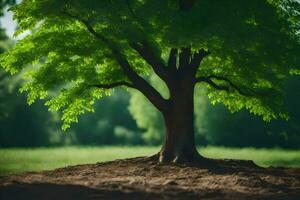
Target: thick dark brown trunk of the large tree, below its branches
179 146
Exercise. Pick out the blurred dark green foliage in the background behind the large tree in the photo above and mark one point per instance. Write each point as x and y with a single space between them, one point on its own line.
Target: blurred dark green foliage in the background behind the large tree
127 118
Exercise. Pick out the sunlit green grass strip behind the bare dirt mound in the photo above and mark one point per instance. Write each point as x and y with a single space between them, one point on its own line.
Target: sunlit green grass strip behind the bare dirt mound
20 160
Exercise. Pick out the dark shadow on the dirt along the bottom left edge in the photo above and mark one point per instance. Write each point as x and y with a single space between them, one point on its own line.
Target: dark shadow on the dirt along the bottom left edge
44 191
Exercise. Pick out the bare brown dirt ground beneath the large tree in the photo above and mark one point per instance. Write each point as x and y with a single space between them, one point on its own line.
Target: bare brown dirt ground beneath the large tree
139 178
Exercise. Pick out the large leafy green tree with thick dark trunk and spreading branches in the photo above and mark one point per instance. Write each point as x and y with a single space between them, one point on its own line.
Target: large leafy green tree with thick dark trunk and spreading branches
242 50
